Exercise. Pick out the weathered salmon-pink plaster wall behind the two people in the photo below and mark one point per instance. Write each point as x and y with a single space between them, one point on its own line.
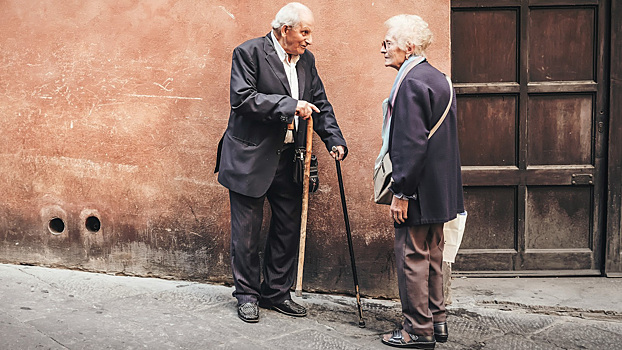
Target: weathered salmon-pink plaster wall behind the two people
113 110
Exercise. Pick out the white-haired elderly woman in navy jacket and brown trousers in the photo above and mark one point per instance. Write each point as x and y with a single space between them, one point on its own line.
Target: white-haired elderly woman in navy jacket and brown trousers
427 183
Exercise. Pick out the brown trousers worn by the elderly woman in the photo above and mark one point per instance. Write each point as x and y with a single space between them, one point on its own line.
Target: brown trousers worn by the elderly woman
419 259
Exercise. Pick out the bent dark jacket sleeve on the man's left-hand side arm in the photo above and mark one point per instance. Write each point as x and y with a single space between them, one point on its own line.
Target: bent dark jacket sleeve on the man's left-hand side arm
247 101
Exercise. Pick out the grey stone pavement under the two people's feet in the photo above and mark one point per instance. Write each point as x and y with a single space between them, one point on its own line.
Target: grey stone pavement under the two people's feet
44 308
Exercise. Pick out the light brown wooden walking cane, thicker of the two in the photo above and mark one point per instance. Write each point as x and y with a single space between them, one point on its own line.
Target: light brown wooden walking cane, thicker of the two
305 207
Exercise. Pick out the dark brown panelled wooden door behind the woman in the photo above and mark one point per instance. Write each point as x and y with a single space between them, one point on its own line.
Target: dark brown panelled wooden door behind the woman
531 86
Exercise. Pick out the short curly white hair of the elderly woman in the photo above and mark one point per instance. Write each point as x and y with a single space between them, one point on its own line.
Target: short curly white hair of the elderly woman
410 31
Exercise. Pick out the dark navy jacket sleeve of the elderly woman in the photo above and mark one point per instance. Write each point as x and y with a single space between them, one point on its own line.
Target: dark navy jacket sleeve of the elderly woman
409 136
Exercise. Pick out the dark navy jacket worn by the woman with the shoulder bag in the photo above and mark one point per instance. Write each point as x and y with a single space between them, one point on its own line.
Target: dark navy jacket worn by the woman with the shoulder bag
426 168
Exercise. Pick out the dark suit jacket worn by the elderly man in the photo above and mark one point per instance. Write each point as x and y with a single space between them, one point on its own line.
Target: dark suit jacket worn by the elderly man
261 108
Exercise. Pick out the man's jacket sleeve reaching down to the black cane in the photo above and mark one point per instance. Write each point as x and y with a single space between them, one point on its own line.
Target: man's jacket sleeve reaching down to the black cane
324 123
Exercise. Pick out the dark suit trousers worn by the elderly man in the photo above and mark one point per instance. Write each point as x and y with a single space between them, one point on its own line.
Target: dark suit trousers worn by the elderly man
281 249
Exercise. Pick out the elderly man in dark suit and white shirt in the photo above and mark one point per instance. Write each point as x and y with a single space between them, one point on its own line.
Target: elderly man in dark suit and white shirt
274 90
